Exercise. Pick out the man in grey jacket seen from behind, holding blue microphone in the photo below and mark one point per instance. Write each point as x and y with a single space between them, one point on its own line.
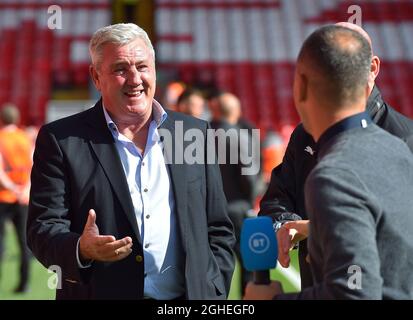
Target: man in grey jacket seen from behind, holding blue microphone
360 232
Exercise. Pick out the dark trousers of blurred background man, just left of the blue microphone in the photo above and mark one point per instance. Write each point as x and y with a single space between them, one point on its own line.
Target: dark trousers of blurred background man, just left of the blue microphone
237 211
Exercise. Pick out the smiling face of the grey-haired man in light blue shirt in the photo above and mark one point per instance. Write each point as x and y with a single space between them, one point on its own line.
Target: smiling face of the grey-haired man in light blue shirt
126 79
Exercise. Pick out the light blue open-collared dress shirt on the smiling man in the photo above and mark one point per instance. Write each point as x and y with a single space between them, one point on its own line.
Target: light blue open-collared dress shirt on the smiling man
153 201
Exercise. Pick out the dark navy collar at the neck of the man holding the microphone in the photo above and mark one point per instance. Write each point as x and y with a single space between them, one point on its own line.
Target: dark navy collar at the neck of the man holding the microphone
359 120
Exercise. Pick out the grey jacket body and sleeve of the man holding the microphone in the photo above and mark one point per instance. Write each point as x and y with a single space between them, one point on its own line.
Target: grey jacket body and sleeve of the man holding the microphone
370 217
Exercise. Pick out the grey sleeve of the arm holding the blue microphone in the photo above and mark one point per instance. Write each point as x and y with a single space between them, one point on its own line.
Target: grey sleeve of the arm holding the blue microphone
342 237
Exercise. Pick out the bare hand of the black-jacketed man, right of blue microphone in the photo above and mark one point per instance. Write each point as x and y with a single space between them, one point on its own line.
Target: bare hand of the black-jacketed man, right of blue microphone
287 236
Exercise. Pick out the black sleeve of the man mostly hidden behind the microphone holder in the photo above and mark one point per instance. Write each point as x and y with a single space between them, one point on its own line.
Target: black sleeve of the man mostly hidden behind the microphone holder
279 200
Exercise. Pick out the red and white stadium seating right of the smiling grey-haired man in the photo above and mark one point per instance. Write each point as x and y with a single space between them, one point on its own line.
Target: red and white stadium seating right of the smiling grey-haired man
249 47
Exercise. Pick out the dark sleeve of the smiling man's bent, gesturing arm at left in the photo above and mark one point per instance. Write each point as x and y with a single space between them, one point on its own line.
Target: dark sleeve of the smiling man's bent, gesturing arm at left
48 226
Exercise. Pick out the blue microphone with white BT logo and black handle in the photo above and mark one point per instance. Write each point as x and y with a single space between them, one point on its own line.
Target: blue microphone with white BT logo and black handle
259 249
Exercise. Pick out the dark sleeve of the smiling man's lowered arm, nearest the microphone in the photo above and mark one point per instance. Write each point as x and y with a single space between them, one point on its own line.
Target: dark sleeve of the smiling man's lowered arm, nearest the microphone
220 228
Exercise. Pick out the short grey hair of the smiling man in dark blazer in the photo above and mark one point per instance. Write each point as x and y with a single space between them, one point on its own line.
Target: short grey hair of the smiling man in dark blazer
120 34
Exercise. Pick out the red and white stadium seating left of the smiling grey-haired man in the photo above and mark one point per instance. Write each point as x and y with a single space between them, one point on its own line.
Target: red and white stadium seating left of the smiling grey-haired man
33 57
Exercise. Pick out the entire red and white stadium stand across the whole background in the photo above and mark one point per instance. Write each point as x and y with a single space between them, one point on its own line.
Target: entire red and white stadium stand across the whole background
247 47
